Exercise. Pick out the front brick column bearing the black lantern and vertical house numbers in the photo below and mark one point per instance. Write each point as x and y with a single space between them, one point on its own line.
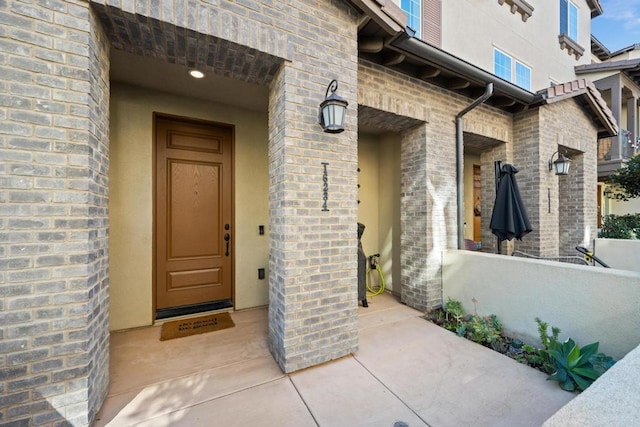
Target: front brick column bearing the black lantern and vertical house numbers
313 306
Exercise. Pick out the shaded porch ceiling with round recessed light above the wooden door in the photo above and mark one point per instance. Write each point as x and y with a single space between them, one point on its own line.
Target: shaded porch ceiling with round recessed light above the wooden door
153 54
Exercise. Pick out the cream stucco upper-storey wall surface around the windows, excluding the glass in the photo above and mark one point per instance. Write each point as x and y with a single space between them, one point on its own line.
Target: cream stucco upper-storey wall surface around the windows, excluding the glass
534 42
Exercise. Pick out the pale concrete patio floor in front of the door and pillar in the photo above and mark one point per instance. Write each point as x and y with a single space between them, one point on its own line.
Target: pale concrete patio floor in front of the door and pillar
406 370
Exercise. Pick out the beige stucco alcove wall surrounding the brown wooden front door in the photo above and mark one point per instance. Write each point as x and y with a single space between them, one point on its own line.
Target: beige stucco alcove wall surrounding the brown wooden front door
131 198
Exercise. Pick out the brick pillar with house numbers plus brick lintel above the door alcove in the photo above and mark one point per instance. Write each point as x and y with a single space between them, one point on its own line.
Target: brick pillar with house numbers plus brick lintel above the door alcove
313 305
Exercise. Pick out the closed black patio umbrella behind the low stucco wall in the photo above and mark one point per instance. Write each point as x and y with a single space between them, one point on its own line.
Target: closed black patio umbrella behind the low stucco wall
509 217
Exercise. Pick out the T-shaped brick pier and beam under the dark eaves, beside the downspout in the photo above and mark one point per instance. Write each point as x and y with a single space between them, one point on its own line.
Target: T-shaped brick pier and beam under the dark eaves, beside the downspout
428 175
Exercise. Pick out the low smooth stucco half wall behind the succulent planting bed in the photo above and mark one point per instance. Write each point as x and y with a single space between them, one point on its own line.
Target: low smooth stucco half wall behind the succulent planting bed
587 303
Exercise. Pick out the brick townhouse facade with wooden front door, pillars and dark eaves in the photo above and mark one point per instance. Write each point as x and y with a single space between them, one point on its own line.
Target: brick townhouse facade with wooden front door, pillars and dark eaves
116 163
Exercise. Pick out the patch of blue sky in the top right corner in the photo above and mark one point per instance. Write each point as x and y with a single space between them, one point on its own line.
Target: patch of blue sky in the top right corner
619 25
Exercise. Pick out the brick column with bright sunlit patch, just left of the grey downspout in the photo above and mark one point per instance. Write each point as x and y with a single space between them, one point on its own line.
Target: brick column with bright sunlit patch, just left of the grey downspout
428 210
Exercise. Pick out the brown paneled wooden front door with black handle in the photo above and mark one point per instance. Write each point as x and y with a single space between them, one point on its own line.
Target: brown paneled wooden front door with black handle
193 217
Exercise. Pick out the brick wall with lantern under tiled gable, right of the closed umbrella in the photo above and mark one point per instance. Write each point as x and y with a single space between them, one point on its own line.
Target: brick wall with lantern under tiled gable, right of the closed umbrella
562 209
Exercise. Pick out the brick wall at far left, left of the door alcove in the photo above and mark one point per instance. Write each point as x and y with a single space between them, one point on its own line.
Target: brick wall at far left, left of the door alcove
54 98
